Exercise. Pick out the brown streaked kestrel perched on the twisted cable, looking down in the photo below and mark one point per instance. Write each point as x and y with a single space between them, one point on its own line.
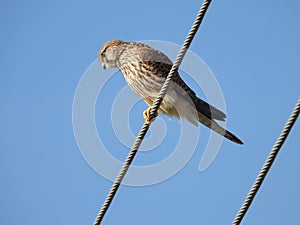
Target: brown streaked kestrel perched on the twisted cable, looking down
145 70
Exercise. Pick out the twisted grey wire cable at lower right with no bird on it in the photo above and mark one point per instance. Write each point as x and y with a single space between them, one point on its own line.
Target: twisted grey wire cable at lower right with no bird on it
267 165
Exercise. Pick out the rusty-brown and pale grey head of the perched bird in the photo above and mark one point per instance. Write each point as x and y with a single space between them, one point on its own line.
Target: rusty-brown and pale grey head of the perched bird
110 53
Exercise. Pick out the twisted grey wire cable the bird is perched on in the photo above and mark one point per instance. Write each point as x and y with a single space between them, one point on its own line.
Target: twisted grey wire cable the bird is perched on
153 111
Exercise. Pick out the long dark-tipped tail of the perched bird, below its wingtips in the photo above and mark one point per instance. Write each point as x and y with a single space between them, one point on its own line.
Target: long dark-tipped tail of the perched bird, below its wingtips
210 123
